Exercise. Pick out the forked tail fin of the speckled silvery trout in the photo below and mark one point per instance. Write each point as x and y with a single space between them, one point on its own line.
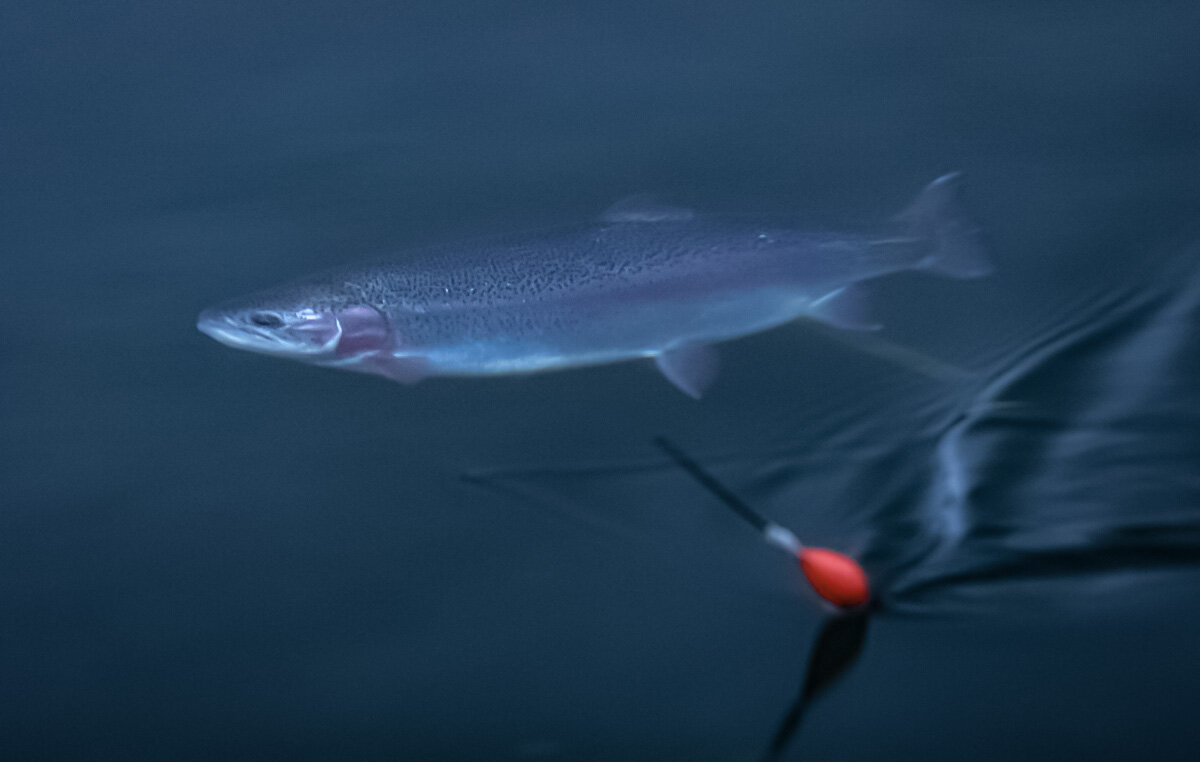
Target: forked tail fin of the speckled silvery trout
938 218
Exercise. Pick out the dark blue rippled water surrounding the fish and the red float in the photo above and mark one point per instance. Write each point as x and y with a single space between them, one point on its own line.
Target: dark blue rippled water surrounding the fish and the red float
211 555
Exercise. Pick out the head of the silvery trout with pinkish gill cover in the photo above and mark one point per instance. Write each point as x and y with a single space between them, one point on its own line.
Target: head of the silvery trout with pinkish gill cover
298 329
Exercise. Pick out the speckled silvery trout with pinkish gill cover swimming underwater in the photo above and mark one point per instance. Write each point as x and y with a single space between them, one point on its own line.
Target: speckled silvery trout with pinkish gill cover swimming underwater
646 280
